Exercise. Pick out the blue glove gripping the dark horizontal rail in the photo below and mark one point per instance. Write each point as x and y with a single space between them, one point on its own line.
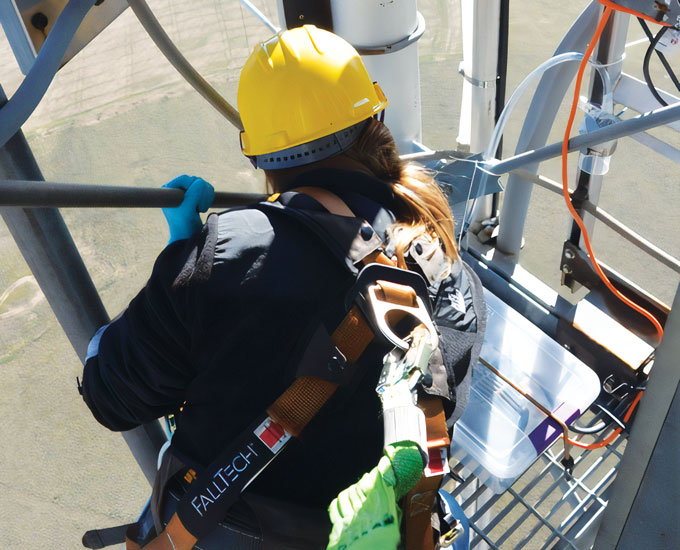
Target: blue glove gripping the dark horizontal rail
184 220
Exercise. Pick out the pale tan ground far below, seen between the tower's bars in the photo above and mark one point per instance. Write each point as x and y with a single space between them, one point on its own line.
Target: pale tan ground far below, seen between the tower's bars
119 114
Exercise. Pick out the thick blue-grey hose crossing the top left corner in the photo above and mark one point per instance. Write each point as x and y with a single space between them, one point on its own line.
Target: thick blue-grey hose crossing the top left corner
24 101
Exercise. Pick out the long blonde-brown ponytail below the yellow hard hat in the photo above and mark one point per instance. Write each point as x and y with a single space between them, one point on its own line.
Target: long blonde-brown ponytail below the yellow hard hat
422 207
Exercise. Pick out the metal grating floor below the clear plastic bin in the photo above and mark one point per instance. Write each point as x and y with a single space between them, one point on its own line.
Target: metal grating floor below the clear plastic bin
544 510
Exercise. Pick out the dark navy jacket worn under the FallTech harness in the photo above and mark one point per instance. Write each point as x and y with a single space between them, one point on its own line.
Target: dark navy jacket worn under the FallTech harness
220 324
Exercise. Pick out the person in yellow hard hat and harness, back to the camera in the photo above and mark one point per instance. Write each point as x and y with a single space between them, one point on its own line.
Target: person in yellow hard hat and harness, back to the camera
265 321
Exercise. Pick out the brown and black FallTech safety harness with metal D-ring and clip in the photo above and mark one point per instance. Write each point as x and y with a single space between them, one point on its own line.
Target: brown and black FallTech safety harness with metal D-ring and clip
381 297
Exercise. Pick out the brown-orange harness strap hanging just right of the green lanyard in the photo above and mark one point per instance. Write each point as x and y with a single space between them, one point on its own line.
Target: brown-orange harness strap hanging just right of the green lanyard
419 502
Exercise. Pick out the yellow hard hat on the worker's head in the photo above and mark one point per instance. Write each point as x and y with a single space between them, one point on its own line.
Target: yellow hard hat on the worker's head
303 95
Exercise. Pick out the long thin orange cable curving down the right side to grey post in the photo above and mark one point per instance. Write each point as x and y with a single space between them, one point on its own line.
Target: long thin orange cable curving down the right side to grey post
565 190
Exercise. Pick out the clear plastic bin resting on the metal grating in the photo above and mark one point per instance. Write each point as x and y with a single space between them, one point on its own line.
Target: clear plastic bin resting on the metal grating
501 433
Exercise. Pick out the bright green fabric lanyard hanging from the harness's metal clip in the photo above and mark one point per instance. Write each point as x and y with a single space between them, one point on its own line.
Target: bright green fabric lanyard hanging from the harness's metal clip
365 516
